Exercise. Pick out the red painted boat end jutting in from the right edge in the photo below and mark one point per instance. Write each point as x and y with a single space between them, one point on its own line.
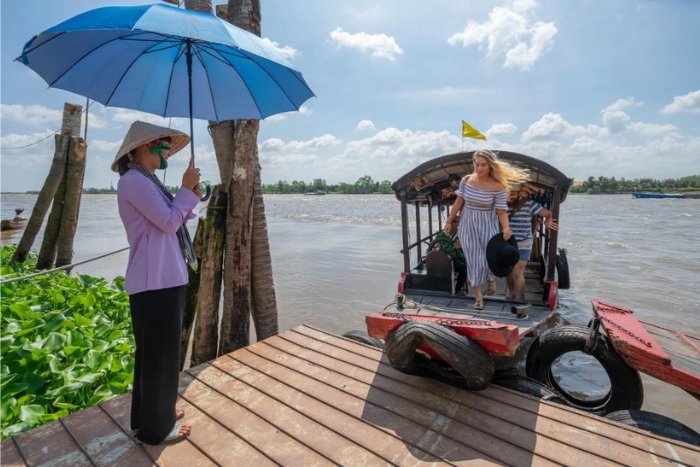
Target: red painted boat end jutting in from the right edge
663 353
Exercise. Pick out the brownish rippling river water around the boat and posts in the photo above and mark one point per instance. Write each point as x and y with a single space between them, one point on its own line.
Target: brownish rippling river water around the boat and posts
336 259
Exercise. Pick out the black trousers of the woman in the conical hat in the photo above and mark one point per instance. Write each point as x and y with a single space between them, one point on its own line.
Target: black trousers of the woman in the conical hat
156 317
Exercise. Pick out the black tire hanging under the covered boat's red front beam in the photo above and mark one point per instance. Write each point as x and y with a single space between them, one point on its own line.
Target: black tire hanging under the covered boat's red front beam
464 355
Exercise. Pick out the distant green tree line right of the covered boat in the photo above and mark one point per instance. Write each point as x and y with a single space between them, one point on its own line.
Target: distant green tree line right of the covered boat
612 185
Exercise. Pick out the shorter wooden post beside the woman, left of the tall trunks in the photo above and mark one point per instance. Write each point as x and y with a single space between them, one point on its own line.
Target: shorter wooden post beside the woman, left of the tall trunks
206 335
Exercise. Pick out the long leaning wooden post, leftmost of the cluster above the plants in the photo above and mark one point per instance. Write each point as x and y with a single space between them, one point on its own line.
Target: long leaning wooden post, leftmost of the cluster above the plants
70 126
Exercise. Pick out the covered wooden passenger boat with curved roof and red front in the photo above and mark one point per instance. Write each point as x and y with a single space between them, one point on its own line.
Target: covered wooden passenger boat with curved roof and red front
427 287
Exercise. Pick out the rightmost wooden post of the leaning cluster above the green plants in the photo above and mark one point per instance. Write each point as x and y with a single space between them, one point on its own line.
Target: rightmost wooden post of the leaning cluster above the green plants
75 174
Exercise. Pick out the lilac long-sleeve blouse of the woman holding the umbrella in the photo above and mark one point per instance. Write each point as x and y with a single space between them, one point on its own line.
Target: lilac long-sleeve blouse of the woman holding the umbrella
151 220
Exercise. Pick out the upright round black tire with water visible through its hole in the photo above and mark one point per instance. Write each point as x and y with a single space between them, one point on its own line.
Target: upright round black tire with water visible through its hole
626 391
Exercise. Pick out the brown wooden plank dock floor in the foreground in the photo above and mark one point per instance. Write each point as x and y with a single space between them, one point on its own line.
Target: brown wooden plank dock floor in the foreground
307 397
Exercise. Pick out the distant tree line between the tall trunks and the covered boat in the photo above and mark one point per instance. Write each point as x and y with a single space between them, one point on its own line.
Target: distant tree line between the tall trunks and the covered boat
364 185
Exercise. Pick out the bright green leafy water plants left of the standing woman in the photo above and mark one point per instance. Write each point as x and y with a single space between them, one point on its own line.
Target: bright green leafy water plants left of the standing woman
65 344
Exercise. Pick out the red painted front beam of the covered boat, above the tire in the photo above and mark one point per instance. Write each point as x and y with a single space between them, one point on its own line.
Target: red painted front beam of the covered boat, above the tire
496 339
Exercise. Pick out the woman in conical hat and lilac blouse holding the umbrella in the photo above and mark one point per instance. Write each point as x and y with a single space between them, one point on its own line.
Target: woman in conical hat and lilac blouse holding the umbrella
156 274
